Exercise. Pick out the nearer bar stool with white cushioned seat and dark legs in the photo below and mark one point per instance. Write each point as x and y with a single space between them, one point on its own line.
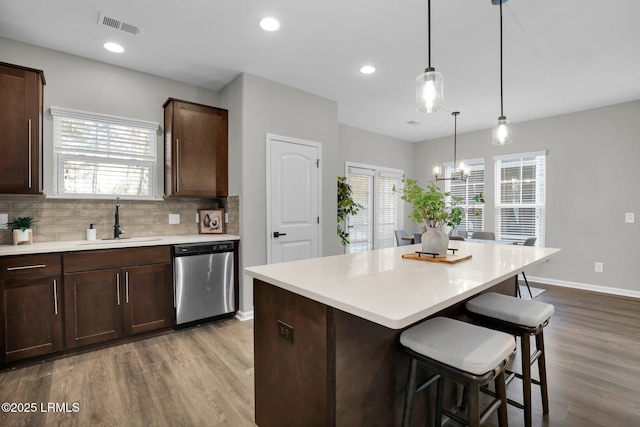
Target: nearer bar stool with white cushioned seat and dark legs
467 354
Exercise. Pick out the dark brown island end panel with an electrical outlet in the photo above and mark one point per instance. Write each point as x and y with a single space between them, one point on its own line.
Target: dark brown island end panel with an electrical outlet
293 358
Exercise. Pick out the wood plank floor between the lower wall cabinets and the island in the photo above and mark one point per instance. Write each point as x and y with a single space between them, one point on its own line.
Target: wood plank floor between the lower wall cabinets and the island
194 377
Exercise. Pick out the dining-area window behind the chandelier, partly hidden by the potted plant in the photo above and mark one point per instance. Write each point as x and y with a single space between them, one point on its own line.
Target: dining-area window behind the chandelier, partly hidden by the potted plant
474 212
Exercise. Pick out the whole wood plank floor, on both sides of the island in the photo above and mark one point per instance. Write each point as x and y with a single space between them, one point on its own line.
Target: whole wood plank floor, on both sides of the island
204 376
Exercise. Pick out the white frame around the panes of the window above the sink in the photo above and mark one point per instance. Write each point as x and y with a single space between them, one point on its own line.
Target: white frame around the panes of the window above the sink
61 153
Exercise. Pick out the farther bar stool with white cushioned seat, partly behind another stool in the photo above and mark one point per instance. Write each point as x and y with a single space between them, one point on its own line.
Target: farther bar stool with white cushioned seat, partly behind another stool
522 318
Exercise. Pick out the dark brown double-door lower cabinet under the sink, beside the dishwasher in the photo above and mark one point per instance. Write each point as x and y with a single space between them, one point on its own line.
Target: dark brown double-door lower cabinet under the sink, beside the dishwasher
109 303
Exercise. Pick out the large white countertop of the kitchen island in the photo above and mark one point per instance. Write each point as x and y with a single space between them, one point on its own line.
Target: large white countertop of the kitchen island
384 288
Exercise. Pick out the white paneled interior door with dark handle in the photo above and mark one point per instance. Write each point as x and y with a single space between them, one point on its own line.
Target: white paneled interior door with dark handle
293 199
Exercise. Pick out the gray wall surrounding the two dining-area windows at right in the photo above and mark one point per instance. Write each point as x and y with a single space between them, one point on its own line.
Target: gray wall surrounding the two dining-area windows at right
593 172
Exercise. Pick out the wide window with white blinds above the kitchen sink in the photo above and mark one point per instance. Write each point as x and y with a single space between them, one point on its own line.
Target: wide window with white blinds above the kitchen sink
102 156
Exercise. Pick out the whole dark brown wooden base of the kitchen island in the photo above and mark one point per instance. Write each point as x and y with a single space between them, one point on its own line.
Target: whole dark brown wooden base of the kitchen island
339 369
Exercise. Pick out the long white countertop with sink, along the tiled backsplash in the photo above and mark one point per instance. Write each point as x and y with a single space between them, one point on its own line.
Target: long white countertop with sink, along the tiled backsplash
84 245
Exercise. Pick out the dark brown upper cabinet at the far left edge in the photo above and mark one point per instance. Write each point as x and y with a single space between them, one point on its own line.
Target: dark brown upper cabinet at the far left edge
21 100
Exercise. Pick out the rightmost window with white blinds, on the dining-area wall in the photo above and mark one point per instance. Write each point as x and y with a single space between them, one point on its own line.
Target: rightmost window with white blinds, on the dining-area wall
520 197
